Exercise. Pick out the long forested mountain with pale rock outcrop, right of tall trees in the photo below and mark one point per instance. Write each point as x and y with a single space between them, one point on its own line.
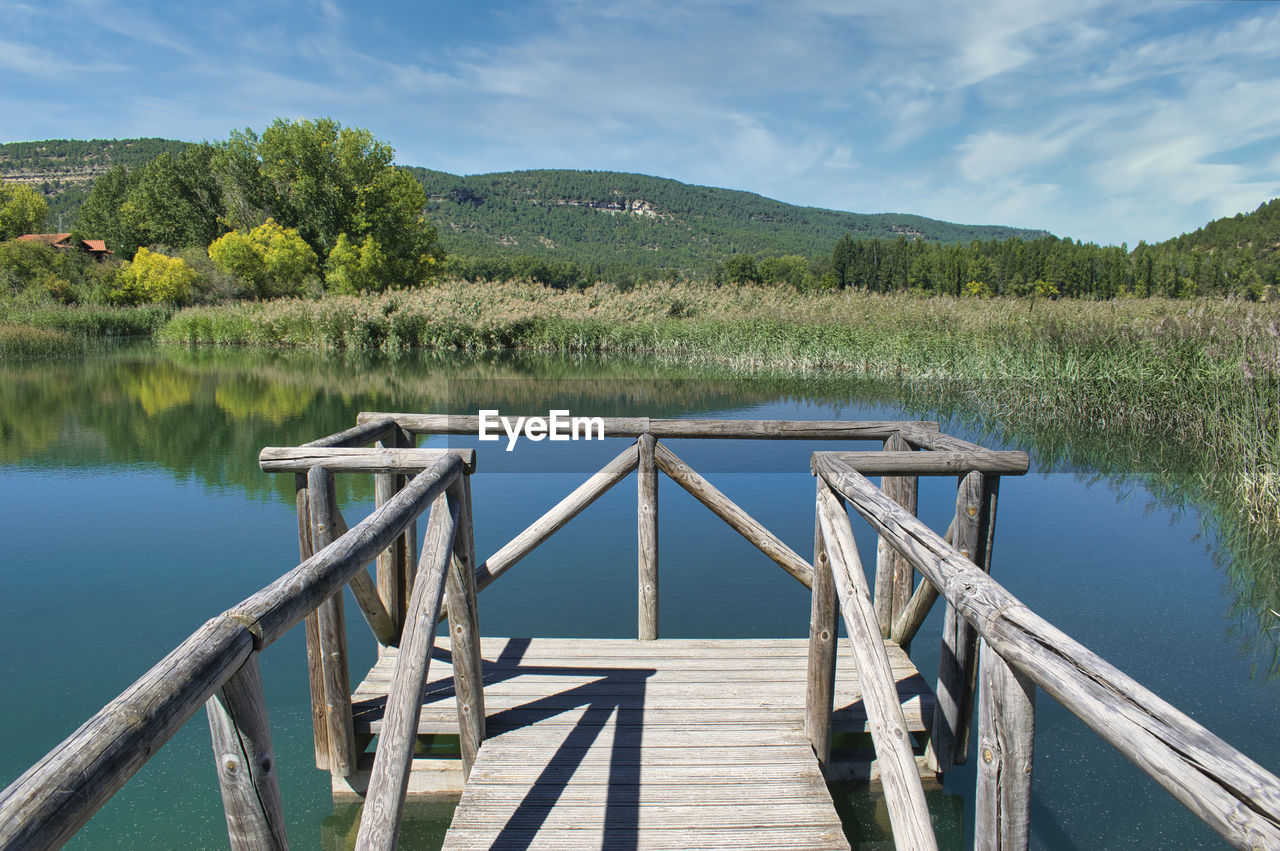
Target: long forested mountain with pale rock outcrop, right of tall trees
610 219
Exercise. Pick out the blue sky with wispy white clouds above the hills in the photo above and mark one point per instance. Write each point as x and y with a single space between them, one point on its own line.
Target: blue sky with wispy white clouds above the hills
1110 122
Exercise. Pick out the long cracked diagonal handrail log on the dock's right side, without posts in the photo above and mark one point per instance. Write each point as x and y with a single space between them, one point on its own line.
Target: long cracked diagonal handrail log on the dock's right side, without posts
1224 788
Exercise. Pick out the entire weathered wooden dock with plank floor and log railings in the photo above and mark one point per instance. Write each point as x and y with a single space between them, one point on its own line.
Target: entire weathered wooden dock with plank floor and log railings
648 743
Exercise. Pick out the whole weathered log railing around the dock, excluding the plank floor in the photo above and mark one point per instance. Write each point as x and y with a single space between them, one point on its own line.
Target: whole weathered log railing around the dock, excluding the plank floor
218 665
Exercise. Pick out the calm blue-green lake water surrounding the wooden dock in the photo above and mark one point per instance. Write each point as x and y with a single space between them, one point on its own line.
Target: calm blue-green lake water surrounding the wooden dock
134 511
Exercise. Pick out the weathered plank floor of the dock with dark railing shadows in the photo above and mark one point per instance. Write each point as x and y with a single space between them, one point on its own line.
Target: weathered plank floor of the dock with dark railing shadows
642 744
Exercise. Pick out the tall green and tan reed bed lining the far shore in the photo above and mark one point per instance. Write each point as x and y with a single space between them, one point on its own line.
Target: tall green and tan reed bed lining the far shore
1197 374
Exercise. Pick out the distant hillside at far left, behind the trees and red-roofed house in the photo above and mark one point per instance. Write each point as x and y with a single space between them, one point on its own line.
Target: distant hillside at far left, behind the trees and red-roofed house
65 171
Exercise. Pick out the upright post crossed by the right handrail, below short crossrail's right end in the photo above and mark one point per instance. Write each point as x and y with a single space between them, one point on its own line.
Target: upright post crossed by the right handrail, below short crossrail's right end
958 667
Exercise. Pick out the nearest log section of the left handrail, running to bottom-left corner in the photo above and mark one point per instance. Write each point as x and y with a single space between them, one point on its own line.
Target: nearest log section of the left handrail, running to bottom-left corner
57 797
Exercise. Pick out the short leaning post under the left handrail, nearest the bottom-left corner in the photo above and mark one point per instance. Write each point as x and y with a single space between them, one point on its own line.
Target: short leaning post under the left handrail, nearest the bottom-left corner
246 765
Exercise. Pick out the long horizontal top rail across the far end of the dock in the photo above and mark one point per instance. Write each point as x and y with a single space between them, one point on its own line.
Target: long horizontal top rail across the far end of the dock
723 429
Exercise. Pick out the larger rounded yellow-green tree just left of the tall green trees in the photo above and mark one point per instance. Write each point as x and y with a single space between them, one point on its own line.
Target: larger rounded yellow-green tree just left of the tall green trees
271 260
